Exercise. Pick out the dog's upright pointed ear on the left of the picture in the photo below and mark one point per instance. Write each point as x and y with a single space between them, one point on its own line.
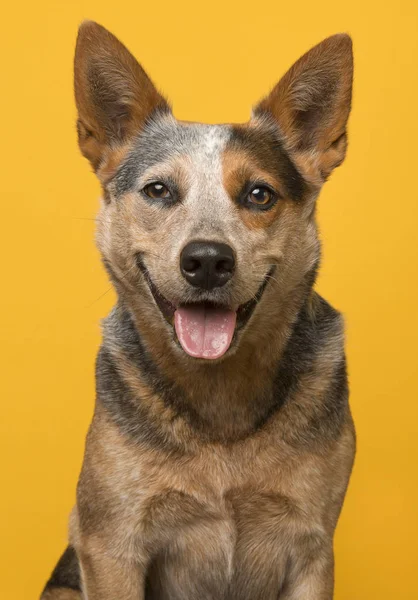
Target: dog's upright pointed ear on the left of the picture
114 95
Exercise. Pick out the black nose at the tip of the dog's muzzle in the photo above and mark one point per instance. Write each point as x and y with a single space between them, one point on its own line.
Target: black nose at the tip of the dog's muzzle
207 264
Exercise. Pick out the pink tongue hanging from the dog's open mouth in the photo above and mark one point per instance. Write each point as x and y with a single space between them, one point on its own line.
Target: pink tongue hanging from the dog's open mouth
204 332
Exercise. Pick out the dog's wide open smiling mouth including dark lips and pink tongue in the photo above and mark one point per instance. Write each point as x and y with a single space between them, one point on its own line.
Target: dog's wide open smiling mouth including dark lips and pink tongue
204 329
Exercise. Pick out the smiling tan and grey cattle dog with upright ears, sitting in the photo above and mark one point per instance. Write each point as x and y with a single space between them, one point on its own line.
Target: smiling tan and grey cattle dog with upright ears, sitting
222 442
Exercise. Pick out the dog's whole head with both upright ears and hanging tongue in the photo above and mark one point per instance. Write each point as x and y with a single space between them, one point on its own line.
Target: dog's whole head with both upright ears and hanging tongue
202 225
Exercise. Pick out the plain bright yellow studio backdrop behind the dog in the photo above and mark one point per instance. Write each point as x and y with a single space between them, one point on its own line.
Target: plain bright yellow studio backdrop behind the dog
213 60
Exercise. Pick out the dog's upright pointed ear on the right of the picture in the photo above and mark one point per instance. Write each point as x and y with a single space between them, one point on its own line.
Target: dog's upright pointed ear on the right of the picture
312 102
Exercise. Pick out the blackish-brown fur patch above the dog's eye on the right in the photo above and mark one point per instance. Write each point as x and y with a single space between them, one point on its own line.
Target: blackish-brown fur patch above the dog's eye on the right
264 144
